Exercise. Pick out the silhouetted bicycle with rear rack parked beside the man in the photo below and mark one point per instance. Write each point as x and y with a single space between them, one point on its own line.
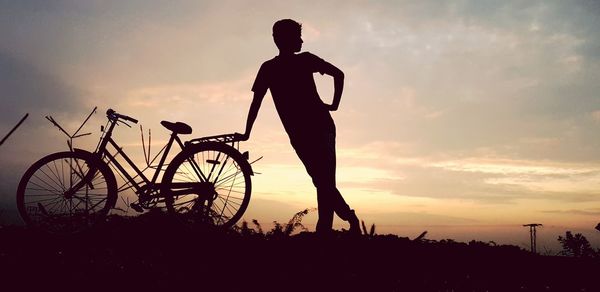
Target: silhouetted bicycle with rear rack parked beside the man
70 191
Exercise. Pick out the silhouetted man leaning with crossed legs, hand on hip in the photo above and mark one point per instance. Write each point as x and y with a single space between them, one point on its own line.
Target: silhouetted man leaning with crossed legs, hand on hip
305 117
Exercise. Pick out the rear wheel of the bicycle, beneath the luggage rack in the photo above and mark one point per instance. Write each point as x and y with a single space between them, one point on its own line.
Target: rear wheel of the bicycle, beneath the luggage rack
208 182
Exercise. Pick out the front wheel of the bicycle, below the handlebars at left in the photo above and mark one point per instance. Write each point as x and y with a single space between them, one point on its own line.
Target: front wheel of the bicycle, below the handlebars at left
66 192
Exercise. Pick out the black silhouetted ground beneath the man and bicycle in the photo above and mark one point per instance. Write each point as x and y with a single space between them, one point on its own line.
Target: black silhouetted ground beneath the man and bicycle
149 251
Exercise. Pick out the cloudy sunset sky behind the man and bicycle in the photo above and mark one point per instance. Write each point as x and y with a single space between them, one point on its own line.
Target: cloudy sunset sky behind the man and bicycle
464 118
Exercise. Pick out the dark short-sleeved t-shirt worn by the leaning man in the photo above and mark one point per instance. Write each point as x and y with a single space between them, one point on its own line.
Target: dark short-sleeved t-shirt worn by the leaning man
290 79
